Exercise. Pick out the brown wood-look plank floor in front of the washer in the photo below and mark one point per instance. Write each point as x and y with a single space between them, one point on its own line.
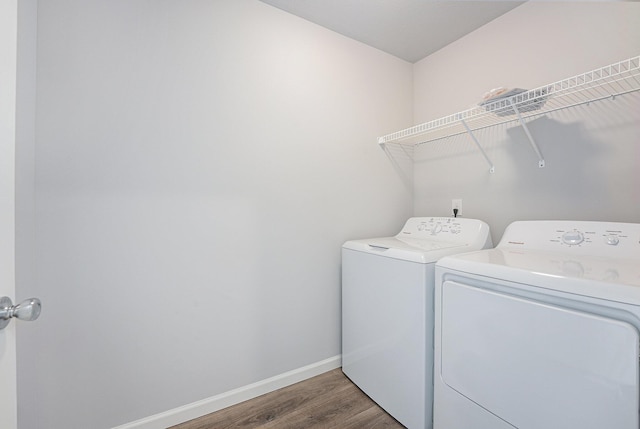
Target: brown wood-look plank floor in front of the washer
327 401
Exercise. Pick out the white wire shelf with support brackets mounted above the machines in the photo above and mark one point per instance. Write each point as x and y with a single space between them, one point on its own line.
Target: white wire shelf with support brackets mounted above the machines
604 83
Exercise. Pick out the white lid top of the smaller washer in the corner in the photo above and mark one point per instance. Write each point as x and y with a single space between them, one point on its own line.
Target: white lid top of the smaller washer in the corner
407 249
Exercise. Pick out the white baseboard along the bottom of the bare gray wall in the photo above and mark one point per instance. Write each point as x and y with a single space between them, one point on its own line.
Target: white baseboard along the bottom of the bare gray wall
232 397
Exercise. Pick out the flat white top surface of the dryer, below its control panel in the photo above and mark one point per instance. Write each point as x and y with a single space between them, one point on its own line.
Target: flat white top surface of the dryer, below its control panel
614 279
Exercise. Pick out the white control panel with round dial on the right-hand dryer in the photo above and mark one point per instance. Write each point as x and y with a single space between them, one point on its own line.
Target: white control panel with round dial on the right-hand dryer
596 238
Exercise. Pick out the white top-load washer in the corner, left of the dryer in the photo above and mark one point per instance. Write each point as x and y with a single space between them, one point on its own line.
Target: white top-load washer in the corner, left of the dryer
387 311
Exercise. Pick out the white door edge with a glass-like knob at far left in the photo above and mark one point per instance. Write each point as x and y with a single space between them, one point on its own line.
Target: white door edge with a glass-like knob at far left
8 51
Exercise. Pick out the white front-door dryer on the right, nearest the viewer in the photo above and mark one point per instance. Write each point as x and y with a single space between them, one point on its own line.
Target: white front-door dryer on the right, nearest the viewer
542 331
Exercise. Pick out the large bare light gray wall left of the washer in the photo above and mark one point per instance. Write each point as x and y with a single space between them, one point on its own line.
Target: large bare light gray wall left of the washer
198 166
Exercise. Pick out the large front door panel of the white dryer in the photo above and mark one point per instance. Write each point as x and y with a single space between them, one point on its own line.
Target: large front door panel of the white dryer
536 365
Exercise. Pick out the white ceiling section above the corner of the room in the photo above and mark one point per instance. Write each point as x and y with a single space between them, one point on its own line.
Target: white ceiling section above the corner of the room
408 29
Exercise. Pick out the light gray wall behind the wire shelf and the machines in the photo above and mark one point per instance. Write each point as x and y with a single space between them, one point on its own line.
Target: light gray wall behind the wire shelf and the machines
591 152
